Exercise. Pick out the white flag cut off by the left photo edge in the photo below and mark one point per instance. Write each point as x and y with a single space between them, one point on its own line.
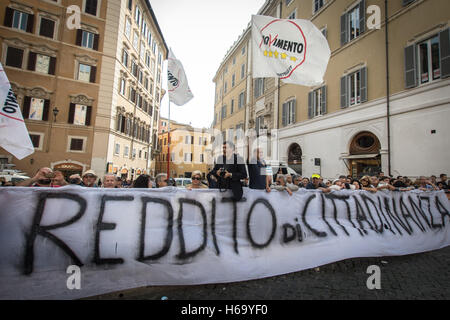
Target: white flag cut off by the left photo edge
14 136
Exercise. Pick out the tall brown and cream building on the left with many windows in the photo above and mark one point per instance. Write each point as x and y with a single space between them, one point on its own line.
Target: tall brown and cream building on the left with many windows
90 93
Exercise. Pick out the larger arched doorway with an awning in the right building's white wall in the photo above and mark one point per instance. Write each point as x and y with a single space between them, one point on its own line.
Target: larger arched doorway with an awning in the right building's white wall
364 156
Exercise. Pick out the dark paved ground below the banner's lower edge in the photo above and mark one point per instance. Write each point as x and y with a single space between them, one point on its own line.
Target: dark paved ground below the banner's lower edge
418 276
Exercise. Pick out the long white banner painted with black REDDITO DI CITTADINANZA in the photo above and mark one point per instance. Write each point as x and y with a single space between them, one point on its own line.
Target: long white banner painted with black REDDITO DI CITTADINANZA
128 238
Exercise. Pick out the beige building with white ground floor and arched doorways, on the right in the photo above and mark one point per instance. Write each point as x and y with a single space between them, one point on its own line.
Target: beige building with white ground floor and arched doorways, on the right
384 103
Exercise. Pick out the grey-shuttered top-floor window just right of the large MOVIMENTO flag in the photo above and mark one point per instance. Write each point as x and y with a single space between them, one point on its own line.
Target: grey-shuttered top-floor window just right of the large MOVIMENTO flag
353 22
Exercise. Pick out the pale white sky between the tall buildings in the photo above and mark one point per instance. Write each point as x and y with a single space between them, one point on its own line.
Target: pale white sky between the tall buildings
200 32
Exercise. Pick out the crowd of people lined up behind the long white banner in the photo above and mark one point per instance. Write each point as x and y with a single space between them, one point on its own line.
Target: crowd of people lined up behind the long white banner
230 172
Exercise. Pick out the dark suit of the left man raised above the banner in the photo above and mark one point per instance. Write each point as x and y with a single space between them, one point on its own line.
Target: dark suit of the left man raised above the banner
237 169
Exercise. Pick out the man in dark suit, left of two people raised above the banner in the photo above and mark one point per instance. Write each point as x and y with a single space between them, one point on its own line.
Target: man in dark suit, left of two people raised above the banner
229 170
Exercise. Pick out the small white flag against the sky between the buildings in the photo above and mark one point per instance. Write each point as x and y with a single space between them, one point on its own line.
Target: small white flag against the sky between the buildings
179 92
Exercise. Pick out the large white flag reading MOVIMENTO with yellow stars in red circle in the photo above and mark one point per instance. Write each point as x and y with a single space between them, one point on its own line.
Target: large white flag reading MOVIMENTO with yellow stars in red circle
293 50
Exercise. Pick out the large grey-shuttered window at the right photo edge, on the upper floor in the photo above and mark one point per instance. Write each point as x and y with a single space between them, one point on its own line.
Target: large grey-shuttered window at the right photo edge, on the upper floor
428 60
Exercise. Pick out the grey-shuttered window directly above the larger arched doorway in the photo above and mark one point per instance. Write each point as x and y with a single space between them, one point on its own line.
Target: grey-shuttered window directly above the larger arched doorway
354 88
